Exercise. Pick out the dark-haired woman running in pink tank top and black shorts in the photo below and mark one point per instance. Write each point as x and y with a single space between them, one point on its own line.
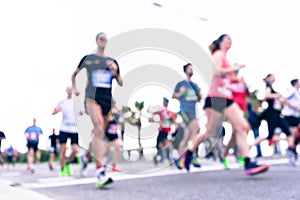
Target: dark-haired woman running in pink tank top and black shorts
219 103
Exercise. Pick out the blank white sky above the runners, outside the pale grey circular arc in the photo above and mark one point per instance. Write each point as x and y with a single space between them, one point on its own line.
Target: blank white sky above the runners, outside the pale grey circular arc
43 41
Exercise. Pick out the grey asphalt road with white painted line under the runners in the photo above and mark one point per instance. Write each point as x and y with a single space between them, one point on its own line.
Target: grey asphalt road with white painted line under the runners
165 182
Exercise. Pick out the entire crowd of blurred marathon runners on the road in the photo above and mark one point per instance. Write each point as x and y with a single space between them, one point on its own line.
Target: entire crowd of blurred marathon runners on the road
227 100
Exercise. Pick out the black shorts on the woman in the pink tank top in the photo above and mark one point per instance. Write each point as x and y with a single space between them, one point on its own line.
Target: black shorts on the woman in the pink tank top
217 103
